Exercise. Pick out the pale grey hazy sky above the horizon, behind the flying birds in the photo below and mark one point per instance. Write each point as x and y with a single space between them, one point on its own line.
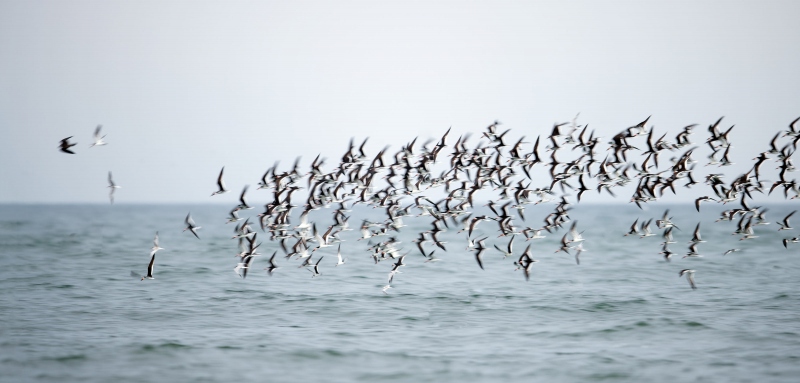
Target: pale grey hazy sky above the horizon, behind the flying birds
183 88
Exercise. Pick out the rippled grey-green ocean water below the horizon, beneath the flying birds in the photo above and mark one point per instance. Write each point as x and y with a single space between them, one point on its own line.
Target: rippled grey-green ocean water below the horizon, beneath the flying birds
70 311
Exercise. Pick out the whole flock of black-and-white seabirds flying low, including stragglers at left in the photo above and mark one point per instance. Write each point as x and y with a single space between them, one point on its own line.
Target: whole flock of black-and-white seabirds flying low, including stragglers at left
398 183
